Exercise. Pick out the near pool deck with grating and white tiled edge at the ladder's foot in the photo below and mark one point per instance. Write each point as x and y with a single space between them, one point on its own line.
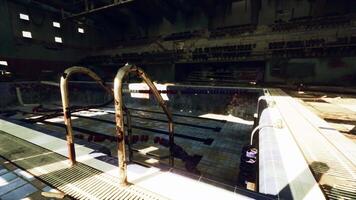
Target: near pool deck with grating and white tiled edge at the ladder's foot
87 180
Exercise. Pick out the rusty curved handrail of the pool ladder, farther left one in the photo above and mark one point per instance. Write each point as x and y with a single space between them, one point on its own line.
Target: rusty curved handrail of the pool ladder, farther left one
65 102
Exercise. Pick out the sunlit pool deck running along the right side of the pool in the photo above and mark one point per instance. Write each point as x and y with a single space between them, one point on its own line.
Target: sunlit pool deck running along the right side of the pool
331 156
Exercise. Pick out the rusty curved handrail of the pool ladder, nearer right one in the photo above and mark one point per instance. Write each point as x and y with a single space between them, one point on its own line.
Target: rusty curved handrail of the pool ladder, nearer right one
120 129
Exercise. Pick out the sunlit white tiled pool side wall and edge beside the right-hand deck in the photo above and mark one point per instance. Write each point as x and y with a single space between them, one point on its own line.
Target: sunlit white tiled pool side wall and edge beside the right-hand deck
282 164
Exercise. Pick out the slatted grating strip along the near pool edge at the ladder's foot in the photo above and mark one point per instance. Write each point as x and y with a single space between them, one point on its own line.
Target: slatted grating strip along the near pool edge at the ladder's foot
79 181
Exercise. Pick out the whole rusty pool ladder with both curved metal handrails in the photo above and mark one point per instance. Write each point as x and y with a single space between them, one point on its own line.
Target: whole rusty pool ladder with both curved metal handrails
119 114
